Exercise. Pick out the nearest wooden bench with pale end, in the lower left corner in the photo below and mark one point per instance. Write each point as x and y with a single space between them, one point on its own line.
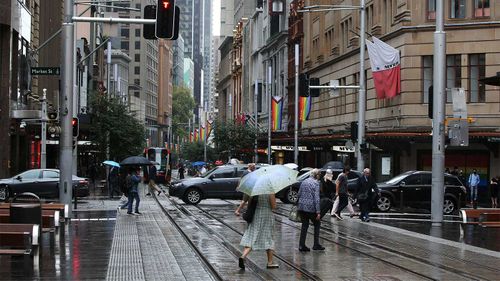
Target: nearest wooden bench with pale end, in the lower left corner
20 239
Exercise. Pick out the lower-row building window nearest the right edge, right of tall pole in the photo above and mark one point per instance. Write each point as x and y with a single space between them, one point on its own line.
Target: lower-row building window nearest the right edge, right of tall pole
477 66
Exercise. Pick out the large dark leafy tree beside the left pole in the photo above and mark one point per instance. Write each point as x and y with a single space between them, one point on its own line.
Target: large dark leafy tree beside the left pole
126 133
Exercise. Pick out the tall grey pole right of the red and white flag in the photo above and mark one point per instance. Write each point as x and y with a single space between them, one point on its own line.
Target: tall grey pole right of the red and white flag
438 141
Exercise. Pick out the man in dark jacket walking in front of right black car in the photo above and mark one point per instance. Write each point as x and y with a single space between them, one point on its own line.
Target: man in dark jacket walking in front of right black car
367 189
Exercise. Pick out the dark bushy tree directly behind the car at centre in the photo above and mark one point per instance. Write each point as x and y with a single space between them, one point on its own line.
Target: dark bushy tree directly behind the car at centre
234 139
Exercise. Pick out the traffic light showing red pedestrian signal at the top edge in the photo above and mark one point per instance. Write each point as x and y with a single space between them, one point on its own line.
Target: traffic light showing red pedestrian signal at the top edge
165 19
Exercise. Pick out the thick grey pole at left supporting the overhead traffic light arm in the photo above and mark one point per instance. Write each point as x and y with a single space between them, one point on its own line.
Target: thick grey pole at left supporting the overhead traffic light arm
66 107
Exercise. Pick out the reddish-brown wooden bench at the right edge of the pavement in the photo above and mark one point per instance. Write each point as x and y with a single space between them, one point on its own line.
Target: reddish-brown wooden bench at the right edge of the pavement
482 217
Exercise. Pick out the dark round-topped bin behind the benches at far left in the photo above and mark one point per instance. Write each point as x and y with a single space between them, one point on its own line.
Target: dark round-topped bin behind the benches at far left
26 208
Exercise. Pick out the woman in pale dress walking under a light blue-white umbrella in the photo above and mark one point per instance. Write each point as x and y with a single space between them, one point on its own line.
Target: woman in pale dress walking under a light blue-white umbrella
261 185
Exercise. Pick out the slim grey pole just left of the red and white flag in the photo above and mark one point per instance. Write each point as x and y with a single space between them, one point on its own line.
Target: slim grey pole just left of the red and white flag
362 90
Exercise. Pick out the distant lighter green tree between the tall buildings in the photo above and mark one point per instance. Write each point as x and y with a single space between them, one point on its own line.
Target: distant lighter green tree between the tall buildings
182 109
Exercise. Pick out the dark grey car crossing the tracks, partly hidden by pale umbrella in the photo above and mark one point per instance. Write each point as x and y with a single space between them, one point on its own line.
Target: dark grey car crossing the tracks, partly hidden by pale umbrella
220 182
